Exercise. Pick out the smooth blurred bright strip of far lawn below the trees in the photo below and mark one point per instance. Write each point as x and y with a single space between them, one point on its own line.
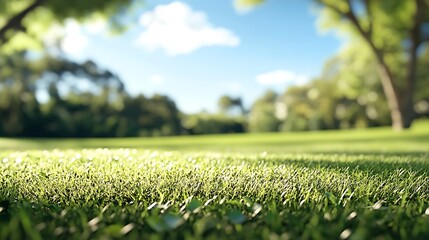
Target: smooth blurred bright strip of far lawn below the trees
375 140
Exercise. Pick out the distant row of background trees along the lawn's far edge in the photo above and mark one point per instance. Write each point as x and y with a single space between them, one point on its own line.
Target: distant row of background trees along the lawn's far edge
54 97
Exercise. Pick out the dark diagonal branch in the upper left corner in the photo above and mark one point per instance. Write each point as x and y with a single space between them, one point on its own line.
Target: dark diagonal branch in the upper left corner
16 21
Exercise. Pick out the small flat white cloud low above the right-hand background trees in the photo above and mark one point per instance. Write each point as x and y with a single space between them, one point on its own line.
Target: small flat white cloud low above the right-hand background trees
280 77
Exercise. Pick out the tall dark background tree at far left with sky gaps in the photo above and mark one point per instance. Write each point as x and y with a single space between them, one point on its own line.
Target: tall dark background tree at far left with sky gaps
23 114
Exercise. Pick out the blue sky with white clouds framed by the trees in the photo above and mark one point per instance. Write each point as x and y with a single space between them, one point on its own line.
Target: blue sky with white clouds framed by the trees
195 51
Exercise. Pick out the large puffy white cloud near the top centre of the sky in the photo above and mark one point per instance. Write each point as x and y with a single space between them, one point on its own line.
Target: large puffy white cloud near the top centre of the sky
177 29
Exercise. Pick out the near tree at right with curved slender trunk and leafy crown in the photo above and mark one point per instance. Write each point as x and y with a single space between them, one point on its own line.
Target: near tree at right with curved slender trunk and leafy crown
391 29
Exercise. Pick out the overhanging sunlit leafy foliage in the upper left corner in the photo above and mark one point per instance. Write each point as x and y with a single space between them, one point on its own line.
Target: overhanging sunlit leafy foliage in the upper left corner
30 19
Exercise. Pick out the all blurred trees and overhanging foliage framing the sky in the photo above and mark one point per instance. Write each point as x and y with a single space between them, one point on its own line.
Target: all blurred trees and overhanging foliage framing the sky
380 78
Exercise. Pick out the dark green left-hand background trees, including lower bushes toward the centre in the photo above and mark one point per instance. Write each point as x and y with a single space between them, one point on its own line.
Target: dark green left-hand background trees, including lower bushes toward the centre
100 109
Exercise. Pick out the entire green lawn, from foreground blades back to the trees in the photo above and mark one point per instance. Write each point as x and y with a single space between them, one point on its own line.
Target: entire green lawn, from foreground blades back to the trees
362 184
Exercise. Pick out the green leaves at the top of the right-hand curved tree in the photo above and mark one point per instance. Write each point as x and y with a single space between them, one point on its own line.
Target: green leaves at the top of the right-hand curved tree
388 21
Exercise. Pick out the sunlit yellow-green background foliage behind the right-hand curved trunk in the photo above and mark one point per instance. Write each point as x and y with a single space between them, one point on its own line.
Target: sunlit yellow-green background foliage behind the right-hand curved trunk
348 93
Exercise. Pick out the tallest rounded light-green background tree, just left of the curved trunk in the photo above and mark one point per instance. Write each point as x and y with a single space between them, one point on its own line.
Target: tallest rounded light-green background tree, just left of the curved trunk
358 97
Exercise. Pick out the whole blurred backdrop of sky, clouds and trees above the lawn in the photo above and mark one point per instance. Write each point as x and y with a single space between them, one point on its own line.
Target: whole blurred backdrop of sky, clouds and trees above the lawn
121 68
